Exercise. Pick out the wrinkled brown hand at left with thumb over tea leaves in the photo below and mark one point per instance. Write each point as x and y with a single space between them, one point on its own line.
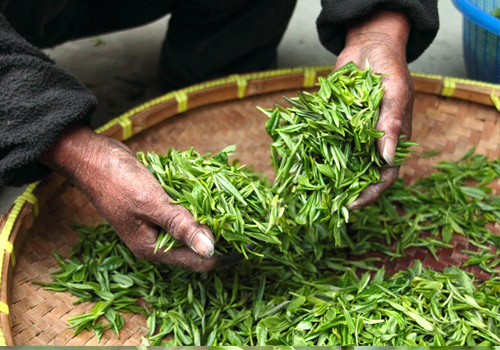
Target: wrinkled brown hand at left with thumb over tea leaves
129 197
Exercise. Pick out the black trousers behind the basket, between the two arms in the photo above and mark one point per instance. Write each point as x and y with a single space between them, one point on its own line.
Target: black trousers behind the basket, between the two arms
234 39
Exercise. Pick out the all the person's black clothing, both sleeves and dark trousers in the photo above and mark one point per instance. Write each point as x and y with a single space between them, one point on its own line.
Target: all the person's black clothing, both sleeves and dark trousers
206 39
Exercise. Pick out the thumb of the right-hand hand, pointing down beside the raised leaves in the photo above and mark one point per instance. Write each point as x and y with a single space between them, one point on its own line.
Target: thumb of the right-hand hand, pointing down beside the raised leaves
395 116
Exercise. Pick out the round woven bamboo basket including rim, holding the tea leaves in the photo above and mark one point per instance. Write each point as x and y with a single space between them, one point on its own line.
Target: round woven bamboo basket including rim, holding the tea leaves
450 115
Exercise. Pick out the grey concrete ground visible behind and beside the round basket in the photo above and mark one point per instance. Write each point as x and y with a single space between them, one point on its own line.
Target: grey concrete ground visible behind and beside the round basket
121 68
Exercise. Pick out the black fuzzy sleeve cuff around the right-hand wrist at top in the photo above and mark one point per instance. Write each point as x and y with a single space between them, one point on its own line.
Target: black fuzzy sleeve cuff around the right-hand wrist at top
335 15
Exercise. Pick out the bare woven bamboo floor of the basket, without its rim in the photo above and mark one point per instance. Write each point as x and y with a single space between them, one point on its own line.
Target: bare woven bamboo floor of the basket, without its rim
40 317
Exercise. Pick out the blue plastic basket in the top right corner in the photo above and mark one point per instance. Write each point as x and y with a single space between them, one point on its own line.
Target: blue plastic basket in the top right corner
481 36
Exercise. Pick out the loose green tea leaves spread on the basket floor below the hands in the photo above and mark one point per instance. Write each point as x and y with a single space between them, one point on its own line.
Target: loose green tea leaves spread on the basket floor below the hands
309 292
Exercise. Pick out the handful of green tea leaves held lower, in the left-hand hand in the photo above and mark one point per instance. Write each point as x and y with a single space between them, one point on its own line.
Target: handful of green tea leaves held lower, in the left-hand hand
237 204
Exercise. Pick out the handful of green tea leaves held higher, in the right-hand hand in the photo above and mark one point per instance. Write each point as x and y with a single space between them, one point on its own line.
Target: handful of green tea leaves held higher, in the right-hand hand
324 146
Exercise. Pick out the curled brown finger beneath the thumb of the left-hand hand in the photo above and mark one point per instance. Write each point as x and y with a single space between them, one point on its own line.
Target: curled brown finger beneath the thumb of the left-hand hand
143 244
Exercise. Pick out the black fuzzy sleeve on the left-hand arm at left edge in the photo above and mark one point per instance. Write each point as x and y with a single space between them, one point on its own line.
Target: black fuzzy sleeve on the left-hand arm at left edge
37 101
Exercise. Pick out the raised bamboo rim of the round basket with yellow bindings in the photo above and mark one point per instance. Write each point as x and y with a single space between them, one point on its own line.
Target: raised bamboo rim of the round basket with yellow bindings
177 102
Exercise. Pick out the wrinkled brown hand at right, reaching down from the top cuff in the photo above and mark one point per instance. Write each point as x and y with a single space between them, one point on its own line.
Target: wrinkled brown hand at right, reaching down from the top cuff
381 39
